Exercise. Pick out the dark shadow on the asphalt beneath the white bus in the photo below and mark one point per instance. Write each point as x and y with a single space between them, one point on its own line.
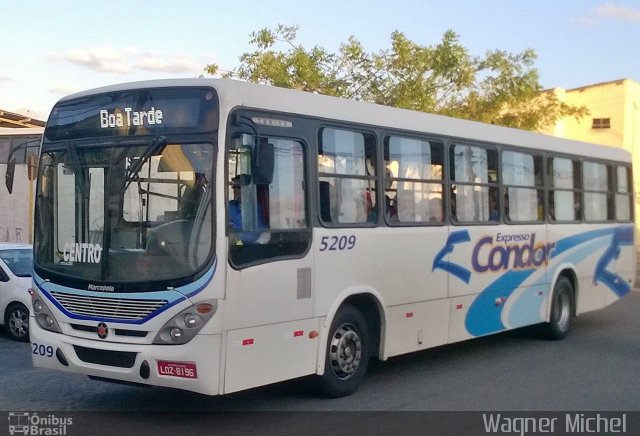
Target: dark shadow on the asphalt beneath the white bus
515 347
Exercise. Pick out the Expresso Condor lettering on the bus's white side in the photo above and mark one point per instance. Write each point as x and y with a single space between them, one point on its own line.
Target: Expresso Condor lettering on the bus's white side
502 255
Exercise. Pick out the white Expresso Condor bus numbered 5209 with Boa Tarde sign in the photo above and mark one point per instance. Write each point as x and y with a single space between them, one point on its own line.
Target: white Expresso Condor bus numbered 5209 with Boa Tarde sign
214 235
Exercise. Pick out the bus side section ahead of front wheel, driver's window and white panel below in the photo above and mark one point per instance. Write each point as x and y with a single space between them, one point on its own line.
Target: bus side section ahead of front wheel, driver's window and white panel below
269 282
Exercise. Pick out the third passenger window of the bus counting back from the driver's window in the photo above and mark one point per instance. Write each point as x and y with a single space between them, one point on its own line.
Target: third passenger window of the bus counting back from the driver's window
474 173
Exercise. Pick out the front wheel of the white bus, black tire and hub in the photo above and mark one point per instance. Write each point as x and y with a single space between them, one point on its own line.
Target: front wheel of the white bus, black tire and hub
347 354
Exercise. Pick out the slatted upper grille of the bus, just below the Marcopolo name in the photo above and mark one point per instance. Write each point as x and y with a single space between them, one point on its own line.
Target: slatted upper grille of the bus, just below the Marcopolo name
106 307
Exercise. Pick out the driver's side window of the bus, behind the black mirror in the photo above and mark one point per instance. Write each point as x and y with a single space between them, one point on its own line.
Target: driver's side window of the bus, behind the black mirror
267 219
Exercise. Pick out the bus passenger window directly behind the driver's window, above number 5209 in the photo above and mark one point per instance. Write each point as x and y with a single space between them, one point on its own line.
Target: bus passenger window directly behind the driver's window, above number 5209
346 170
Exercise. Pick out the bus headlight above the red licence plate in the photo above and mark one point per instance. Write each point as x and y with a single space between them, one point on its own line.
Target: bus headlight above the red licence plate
184 326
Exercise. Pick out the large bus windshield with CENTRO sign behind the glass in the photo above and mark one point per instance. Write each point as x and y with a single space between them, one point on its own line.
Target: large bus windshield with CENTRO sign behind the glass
125 212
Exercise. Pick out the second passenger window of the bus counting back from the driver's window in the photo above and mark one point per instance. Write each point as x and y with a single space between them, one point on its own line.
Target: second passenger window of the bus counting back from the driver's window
413 180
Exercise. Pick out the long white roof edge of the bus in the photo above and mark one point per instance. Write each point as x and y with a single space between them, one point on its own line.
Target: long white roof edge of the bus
234 93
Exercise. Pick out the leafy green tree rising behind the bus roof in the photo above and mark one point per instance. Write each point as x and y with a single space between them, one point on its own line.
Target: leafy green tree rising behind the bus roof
498 88
